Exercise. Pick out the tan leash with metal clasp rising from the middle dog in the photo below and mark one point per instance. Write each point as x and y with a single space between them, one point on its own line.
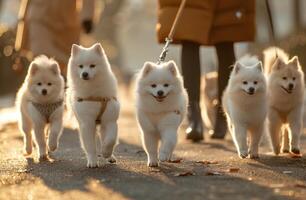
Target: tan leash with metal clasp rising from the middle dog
169 39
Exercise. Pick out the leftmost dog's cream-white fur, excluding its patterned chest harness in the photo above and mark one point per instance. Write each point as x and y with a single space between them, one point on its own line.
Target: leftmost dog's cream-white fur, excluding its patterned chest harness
42 71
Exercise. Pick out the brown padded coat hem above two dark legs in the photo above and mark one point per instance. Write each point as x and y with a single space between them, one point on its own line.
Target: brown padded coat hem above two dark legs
208 22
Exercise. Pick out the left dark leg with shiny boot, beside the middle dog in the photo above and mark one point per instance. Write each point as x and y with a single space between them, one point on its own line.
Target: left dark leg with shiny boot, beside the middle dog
191 69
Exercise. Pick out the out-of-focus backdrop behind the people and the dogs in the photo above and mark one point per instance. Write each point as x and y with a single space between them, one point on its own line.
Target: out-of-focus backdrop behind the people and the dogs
126 29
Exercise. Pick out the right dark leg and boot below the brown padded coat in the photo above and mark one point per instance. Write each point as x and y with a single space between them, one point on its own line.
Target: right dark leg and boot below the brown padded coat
226 57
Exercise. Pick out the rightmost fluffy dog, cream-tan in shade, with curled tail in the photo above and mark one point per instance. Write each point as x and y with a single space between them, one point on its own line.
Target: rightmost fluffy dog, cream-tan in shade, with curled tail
285 103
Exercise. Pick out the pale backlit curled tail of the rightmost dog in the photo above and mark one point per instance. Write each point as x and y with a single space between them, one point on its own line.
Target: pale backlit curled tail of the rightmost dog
270 55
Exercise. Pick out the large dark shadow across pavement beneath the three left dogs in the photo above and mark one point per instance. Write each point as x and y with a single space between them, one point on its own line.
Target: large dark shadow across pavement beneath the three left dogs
132 179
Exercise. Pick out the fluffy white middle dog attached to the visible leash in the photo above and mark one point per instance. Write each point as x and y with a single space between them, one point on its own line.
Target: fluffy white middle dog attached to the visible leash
159 117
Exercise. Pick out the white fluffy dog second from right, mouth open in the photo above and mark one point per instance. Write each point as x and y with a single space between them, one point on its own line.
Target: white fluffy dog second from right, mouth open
246 110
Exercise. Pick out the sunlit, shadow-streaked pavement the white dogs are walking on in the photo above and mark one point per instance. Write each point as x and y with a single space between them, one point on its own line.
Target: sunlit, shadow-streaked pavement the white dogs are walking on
221 175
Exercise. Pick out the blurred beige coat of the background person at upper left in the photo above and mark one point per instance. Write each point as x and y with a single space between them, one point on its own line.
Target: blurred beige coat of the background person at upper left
52 26
